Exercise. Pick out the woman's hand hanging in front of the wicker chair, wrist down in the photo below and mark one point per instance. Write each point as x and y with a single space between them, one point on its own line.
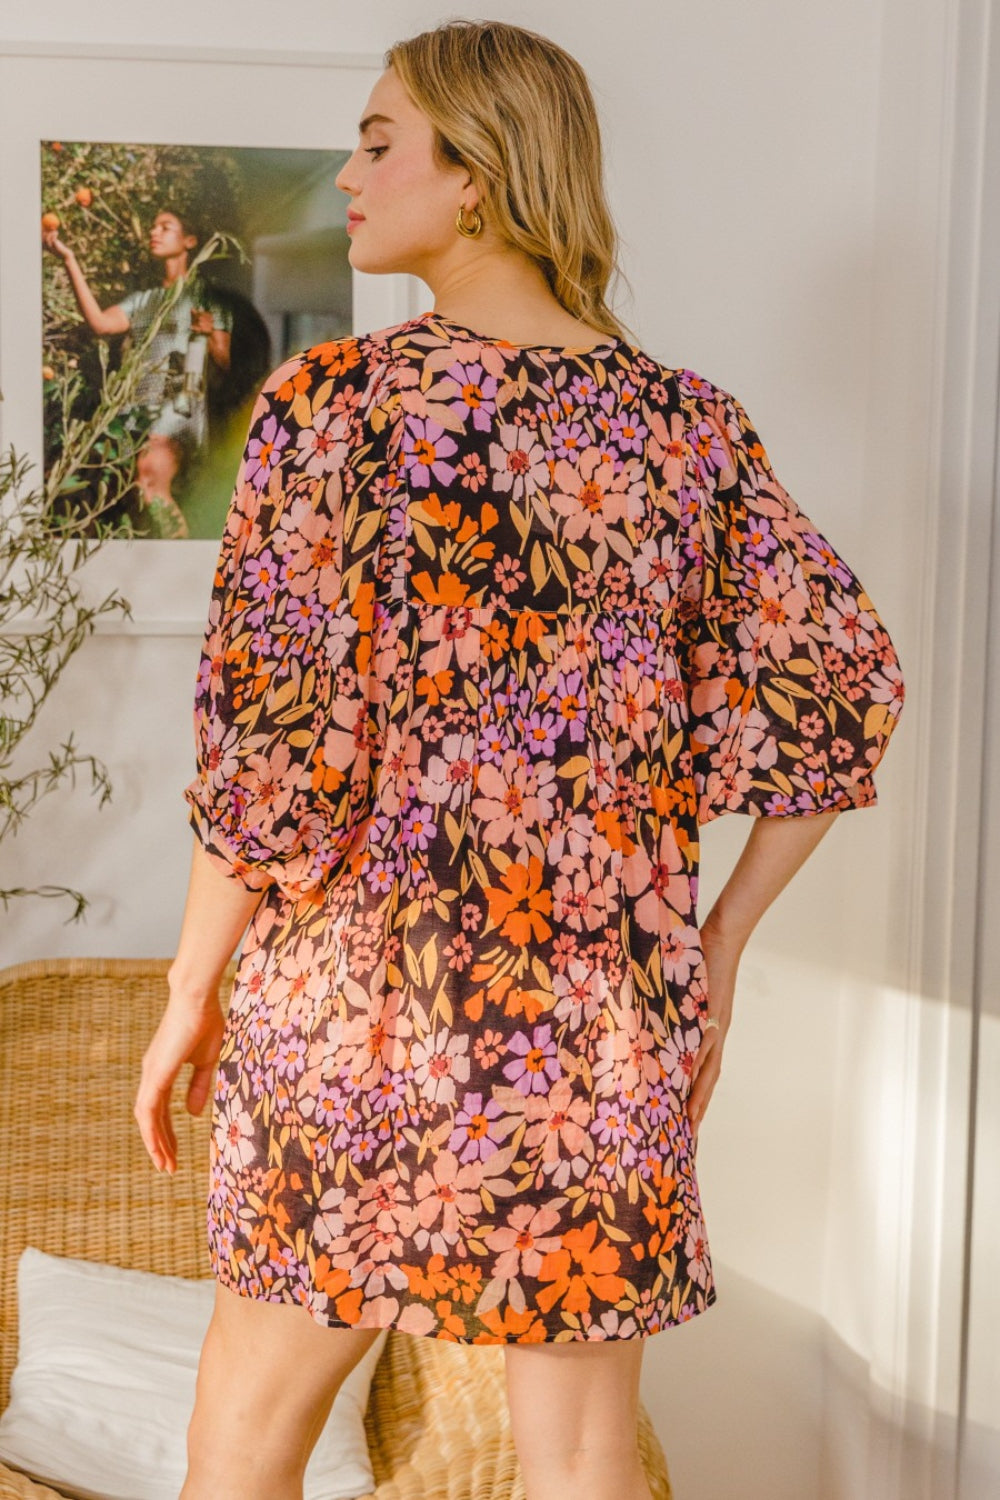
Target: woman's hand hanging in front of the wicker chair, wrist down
190 1033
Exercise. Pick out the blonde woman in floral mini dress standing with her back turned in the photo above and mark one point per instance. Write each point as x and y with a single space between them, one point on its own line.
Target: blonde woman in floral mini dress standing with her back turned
504 611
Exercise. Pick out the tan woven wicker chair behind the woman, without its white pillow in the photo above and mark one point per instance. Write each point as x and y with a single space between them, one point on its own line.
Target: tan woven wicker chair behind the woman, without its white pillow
76 1181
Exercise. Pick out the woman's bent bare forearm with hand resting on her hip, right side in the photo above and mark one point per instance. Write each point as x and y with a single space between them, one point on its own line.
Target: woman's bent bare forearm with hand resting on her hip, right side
774 851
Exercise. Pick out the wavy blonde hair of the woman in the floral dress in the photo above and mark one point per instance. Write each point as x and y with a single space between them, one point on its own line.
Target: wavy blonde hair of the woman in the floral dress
518 113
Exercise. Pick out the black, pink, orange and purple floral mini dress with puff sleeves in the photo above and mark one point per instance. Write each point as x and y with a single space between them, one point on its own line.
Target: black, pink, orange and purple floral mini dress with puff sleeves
494 631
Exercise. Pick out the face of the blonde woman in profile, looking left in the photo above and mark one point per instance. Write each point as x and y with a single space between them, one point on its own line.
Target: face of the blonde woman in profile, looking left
404 203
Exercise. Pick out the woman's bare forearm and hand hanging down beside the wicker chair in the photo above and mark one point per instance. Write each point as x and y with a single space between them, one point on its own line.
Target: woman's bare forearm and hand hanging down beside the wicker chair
217 916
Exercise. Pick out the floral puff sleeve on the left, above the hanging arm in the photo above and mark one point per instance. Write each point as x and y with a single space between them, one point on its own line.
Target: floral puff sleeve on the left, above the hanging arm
283 695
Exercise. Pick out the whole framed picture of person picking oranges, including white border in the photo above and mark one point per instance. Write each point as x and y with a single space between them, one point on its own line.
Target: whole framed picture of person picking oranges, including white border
130 167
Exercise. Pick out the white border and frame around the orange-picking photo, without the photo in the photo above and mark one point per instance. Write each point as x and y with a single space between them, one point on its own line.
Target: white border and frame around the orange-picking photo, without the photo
172 97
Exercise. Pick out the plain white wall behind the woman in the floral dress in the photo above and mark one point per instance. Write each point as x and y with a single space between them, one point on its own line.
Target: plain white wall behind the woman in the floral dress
777 173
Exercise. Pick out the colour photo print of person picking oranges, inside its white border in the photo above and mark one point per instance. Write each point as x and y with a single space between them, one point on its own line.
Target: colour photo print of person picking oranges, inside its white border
124 227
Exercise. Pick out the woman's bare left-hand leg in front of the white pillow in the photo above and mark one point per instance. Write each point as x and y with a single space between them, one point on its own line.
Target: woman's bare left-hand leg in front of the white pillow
266 1384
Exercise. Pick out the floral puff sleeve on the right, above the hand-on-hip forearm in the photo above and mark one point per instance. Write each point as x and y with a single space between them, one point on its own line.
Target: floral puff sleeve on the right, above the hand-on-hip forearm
794 683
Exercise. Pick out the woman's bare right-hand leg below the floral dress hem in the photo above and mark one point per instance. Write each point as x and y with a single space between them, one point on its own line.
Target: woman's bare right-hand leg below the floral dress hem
575 1420
